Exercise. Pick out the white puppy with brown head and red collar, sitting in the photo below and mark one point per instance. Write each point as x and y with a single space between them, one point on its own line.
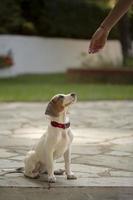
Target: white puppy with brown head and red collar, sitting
56 142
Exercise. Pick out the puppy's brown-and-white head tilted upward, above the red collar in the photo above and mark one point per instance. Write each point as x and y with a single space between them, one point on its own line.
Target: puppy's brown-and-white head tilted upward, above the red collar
59 104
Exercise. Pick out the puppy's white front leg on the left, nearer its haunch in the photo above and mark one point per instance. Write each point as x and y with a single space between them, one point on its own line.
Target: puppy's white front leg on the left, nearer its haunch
50 168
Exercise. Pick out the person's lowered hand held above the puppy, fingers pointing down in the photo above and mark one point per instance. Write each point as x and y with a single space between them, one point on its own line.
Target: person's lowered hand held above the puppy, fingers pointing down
98 40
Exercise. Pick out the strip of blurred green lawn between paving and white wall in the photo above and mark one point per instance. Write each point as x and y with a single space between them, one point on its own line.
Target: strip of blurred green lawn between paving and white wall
43 87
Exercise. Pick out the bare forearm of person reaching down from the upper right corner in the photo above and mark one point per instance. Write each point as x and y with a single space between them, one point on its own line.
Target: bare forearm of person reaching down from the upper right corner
119 10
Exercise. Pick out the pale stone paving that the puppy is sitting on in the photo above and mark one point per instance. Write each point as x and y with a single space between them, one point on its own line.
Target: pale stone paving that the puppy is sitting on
102 152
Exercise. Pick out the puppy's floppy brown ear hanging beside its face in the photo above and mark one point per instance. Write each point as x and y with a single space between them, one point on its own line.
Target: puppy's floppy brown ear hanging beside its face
51 110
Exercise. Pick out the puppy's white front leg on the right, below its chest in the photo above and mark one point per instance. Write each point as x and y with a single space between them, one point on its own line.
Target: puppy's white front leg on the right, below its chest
67 159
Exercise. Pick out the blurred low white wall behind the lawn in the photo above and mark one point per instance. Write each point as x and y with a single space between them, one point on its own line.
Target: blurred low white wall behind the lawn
46 55
